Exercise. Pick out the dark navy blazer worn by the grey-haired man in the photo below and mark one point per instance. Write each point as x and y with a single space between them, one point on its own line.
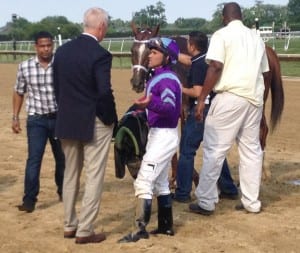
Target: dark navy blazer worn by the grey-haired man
82 84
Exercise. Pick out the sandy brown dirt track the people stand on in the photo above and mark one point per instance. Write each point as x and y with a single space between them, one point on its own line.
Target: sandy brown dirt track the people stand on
276 229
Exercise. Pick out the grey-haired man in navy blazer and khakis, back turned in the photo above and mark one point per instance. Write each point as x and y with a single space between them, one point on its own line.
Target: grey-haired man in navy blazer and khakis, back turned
85 120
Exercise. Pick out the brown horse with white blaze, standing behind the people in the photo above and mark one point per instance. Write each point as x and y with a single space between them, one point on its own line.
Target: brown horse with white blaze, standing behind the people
273 83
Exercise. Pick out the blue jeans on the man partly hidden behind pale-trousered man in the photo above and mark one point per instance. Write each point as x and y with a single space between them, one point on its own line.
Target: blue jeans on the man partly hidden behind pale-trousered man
190 141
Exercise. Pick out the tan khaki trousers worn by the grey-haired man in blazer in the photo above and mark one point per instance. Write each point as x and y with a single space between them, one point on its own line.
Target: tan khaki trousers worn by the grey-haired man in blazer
93 157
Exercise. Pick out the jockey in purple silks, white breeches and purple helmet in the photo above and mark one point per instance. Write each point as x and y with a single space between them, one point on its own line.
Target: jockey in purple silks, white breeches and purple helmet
162 102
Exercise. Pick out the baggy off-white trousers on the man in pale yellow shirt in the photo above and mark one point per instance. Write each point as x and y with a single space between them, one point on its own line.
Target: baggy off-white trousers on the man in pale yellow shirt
231 118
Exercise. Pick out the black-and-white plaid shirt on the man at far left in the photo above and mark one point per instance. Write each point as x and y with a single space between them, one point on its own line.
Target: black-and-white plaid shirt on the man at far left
37 82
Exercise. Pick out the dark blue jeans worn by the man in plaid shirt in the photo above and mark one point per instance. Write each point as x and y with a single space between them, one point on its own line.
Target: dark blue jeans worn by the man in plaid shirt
40 128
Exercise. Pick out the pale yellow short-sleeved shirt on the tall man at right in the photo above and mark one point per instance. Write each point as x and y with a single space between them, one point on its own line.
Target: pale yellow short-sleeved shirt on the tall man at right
243 55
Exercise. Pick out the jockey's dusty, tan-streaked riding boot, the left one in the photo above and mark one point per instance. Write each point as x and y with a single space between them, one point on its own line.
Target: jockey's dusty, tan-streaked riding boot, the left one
142 218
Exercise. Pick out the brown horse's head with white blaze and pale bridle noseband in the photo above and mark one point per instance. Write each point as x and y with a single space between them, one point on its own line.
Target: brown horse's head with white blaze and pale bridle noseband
139 56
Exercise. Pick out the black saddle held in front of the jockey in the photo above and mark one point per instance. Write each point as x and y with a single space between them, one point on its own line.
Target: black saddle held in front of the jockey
130 142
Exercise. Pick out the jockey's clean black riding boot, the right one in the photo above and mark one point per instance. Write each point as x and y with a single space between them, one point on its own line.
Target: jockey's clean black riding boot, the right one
164 216
